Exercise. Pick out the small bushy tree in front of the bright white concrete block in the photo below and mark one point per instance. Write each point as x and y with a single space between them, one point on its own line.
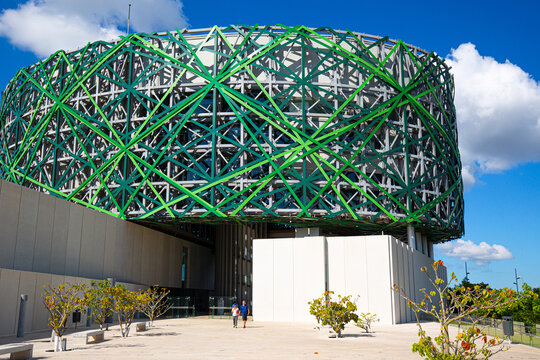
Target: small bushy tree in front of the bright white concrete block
334 313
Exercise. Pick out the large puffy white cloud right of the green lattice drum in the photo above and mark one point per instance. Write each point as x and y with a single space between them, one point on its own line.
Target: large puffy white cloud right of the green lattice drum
498 112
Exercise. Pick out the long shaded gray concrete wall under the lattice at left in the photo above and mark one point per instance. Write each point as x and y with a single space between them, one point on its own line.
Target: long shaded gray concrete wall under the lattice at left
42 233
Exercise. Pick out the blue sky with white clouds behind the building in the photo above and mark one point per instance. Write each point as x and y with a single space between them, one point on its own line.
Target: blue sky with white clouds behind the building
491 45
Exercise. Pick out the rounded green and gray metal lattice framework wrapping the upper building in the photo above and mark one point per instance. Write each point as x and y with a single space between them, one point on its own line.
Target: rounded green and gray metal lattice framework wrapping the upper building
270 123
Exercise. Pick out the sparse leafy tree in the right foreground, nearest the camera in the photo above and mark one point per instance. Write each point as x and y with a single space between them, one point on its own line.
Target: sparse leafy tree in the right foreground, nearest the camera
450 305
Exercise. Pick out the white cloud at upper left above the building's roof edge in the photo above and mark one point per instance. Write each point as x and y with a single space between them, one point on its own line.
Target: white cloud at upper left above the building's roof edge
44 26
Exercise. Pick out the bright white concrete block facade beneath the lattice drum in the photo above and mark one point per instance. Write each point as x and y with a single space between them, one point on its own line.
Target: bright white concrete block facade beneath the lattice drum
289 272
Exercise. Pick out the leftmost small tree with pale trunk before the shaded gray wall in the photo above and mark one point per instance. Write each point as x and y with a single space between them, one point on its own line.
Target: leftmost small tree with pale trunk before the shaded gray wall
60 302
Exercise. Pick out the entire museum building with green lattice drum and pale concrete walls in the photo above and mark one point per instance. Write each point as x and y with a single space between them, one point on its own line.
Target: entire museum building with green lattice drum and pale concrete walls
269 163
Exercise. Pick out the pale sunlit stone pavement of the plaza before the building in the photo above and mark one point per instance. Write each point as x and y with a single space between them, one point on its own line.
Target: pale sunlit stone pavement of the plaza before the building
202 338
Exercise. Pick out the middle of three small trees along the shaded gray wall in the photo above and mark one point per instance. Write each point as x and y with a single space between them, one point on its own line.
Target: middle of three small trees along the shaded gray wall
98 298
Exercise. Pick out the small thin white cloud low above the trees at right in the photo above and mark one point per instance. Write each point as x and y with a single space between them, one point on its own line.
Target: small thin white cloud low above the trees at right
481 253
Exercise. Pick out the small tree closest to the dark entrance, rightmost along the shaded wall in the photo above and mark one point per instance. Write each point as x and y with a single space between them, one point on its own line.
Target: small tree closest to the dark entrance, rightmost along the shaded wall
126 304
